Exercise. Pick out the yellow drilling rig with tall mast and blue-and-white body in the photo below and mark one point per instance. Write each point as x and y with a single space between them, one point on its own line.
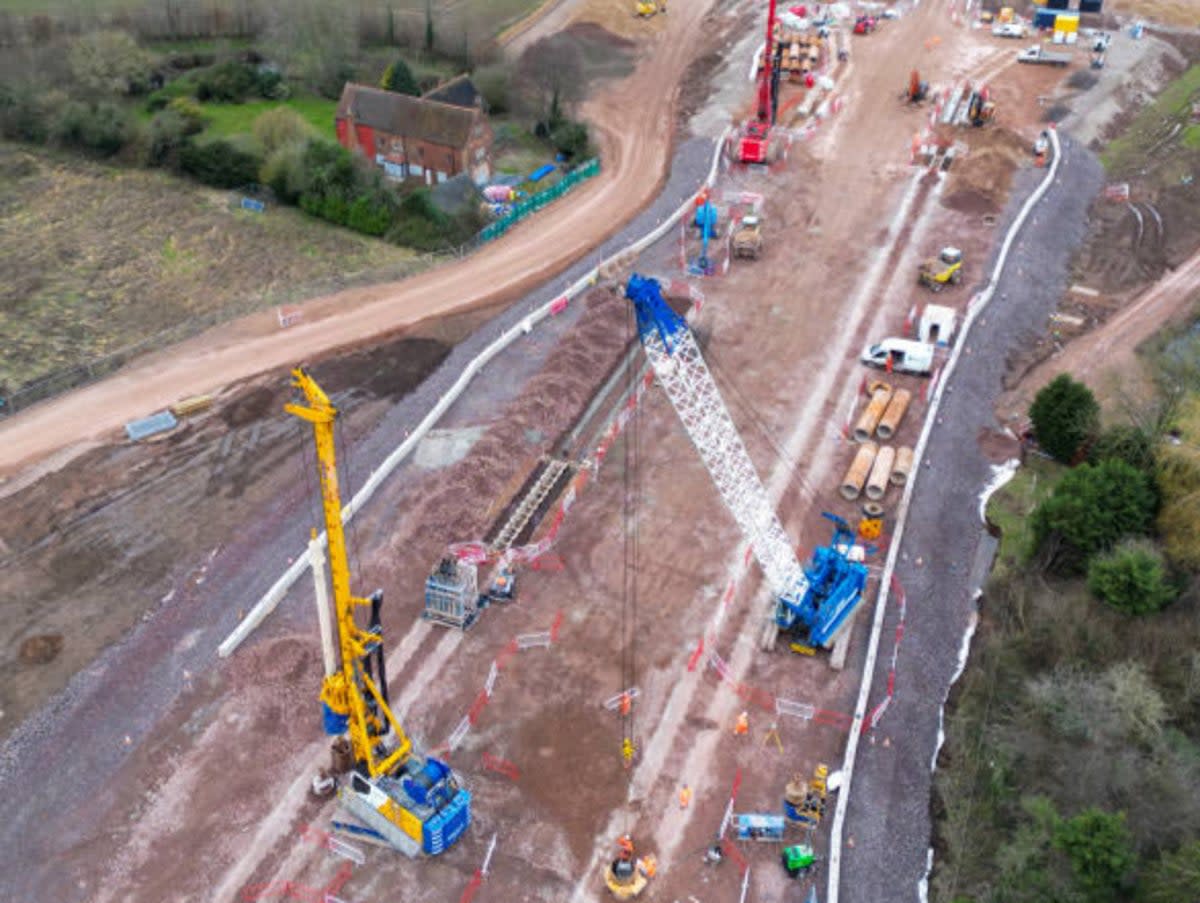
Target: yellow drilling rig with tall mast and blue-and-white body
397 797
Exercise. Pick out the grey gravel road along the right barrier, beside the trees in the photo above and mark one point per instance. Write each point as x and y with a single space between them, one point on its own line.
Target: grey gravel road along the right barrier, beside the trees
889 820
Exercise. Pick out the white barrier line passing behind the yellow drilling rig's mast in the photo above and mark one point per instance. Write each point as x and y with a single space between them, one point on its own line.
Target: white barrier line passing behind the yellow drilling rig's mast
273 597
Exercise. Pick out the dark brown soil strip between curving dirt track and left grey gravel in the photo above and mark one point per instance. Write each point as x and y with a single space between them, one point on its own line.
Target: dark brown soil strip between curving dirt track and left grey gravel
91 549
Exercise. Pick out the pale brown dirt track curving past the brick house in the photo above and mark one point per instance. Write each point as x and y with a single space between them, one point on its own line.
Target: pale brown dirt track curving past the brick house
635 152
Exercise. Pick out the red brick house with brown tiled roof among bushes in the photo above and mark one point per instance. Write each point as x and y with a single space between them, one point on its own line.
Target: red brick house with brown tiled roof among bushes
417 139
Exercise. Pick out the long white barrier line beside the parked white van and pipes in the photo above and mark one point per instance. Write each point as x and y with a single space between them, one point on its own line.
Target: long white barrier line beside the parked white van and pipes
868 677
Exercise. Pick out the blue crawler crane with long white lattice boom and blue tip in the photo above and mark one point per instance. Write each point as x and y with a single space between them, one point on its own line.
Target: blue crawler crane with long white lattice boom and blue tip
812 605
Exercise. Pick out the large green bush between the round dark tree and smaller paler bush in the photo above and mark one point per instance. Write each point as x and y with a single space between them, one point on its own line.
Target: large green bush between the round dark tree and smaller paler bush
1093 507
